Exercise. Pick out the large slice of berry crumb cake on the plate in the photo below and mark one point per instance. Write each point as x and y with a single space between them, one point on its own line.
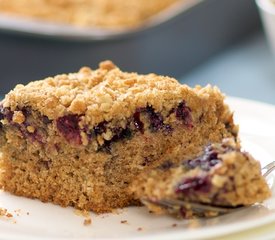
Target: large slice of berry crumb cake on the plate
81 139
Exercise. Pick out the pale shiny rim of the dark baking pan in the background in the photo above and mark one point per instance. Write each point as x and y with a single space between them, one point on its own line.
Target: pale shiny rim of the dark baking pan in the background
56 30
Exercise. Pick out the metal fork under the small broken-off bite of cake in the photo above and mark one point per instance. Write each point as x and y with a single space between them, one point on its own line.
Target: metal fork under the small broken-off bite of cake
174 205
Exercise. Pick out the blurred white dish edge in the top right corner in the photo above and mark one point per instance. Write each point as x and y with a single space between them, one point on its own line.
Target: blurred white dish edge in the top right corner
267 12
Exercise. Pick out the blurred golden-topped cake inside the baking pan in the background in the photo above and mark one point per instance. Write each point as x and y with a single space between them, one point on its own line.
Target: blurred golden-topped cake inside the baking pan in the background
87 13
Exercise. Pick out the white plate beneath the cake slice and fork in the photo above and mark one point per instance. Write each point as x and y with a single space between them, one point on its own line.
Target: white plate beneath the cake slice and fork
47 221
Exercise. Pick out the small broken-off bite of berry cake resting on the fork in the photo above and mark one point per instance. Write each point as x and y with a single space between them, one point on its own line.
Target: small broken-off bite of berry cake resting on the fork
222 175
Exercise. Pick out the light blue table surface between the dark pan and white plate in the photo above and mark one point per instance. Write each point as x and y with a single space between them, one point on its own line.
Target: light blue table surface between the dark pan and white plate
246 70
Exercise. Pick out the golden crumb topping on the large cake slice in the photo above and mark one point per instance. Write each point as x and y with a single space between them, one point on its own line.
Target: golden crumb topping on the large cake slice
102 94
